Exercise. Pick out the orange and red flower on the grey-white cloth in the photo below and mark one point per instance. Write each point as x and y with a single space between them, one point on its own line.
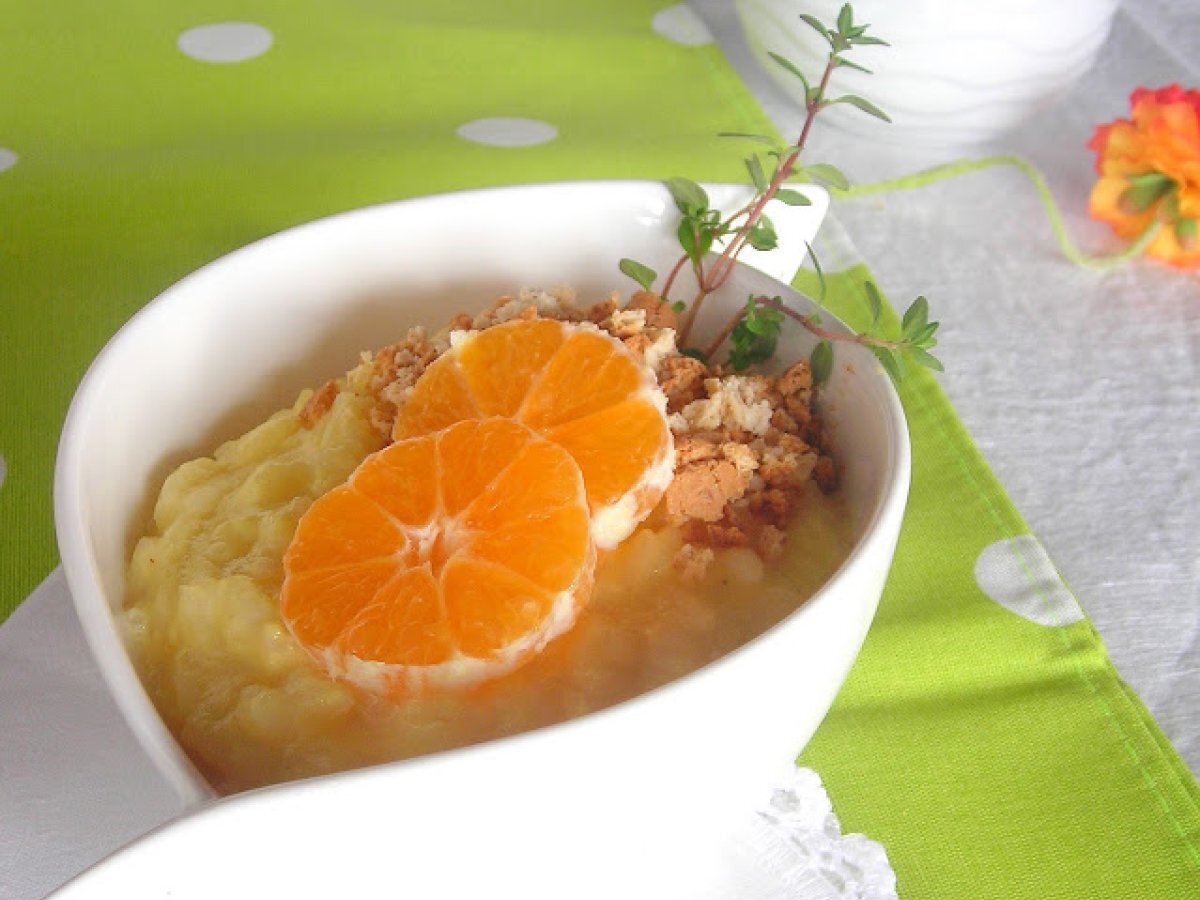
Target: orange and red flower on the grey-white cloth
1150 169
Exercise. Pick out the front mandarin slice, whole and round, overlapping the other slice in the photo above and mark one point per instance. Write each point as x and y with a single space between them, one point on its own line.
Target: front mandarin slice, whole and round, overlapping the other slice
445 561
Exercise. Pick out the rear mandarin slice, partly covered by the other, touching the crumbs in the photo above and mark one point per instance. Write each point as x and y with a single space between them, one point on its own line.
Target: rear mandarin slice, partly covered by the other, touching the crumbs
572 383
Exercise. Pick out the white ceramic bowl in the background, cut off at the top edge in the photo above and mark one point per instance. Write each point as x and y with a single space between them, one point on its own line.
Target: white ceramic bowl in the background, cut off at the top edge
955 75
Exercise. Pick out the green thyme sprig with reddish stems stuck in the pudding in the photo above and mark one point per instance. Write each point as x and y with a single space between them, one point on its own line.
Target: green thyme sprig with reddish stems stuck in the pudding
754 332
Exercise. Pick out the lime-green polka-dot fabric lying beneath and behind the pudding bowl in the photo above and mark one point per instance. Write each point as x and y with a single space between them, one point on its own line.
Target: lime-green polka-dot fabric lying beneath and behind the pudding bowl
994 758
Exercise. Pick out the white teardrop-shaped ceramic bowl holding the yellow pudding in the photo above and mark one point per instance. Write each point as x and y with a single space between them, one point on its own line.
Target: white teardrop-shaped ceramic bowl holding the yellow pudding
241 338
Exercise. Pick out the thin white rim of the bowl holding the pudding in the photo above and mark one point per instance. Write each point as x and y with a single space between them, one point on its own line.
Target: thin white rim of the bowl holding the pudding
82 571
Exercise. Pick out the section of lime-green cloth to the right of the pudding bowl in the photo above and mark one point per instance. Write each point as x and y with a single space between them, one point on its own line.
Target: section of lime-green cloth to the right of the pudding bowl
993 757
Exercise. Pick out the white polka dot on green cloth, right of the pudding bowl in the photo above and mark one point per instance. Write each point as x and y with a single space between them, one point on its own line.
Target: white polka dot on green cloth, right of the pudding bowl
1018 575
